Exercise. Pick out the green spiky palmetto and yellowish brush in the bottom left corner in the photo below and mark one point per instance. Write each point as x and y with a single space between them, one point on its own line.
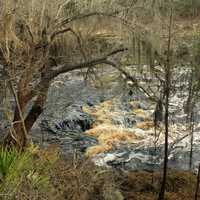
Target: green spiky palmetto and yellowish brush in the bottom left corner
26 171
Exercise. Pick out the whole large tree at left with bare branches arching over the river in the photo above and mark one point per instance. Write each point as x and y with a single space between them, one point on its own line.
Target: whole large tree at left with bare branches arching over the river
42 39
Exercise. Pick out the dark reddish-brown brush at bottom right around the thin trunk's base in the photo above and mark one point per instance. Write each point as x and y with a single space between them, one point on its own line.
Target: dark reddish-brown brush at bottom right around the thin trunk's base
145 186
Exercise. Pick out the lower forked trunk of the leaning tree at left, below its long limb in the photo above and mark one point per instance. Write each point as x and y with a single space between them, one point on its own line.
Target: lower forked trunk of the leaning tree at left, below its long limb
18 135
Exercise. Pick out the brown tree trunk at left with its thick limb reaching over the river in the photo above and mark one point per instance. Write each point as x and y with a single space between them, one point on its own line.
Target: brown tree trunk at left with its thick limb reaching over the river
18 136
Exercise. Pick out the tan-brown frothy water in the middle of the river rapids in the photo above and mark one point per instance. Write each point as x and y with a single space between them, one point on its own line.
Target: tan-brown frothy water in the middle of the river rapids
108 134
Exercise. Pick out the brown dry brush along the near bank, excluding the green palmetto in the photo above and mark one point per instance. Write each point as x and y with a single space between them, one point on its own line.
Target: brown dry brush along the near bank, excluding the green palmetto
77 179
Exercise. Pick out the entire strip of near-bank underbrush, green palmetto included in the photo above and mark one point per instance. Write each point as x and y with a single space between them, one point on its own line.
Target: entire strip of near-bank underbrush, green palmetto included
44 174
